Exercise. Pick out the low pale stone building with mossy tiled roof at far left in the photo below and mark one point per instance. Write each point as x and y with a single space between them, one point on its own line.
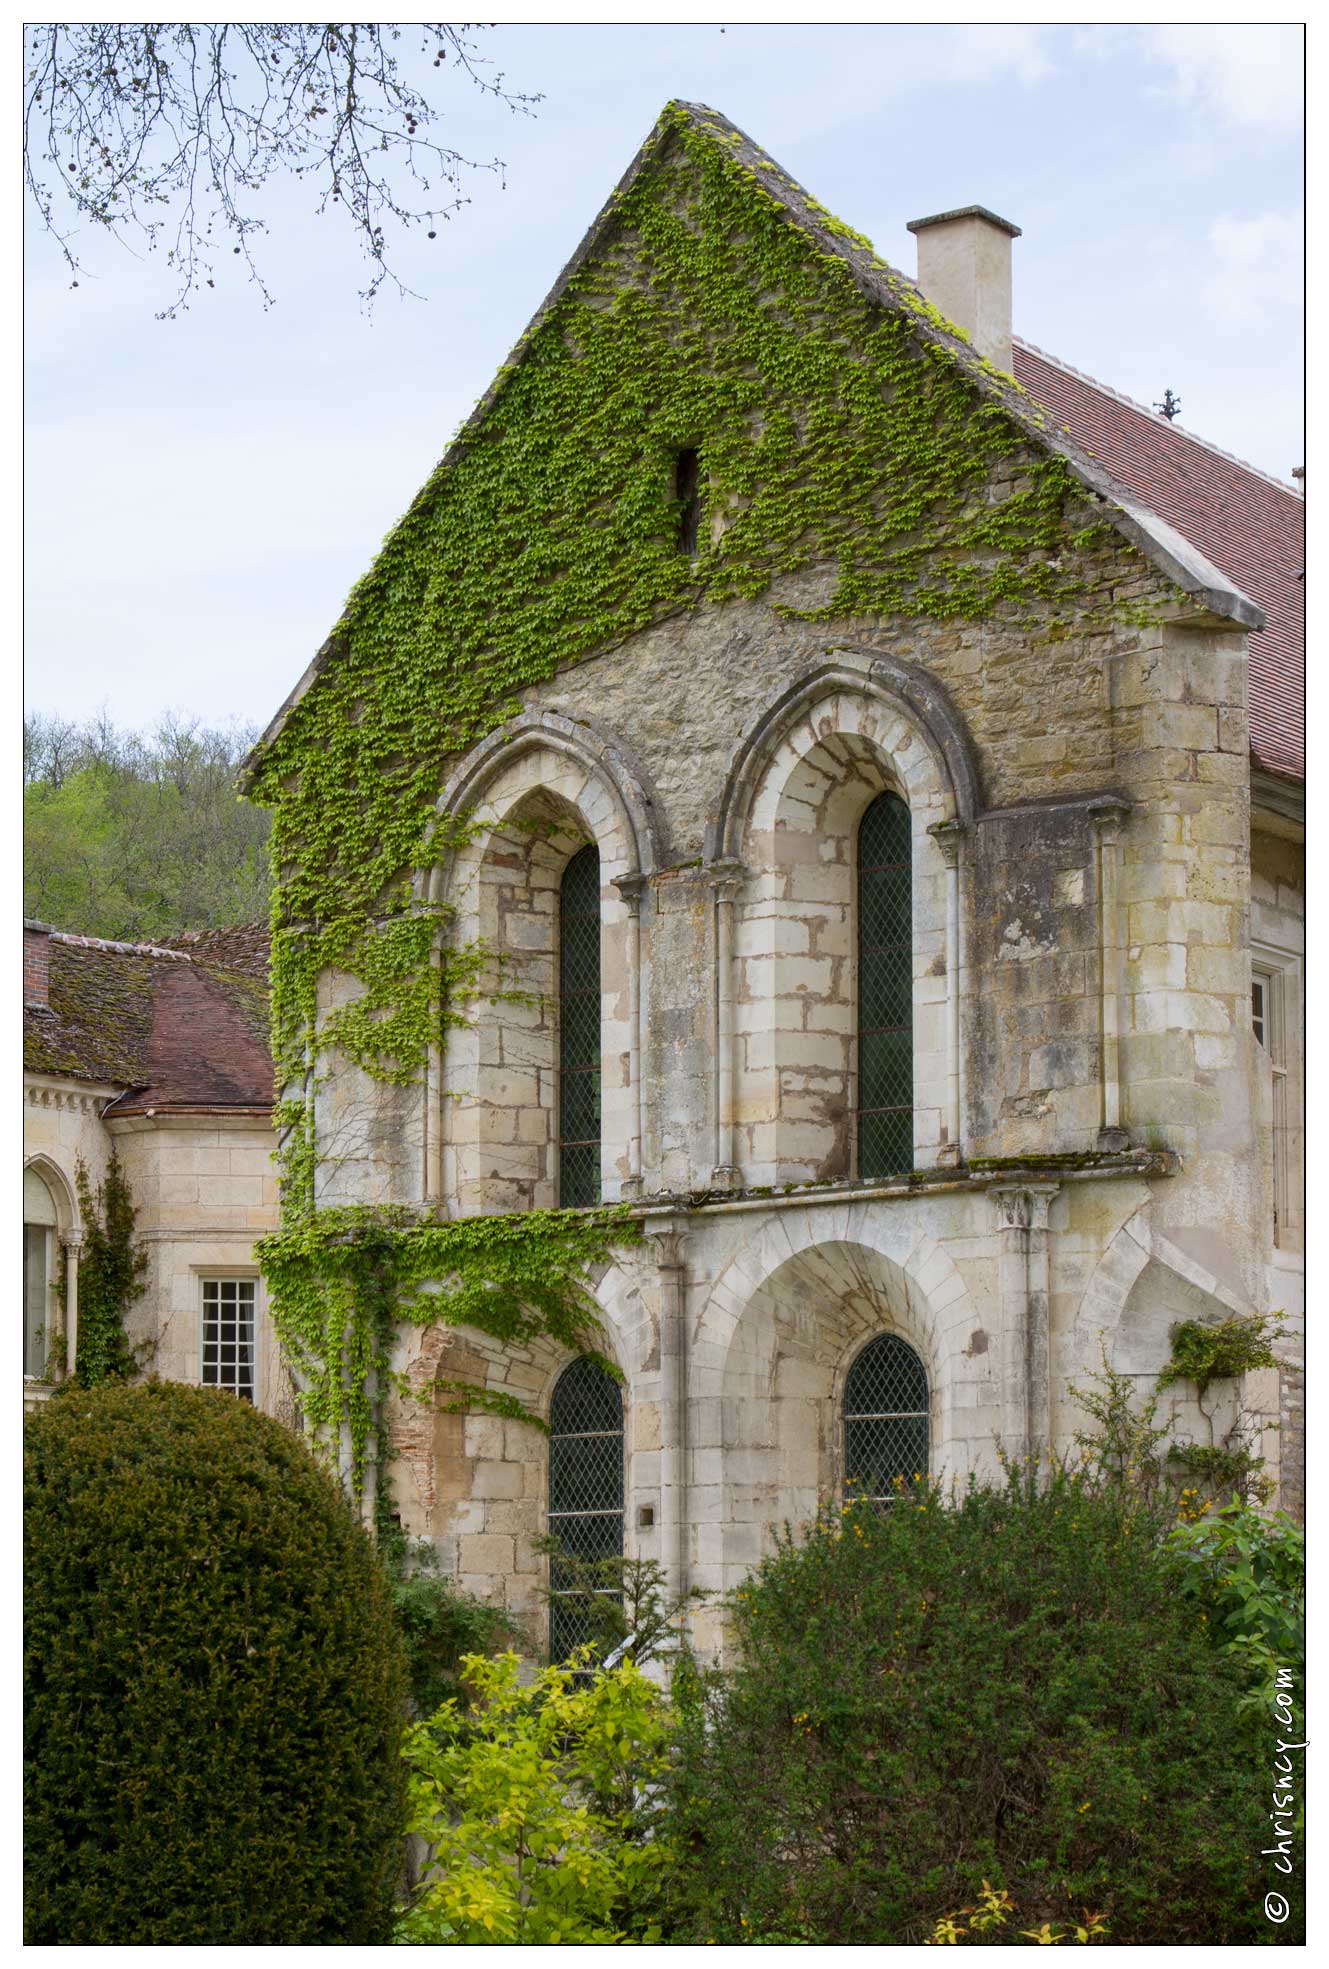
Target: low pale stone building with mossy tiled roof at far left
160 1056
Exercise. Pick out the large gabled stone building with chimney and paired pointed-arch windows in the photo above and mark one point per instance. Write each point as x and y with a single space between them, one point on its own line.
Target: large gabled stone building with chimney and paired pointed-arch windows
897 964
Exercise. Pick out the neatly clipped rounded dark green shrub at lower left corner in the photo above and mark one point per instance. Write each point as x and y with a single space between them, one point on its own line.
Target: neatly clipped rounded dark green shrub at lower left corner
216 1688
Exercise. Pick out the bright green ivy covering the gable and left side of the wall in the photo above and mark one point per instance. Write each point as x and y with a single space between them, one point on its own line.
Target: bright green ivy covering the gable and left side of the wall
832 432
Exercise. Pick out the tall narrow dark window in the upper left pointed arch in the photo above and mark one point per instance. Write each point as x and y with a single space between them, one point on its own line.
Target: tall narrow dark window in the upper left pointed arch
580 1033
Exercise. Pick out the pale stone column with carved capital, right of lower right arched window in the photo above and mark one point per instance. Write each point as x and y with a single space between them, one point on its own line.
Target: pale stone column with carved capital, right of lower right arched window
1025 1291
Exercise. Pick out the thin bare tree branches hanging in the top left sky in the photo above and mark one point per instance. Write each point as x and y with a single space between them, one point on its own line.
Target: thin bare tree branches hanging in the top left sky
162 135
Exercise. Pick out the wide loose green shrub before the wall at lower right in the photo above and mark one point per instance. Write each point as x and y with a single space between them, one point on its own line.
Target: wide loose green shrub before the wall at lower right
934 1694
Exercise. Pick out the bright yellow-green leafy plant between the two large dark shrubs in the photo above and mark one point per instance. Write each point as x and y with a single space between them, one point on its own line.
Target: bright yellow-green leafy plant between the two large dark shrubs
538 1809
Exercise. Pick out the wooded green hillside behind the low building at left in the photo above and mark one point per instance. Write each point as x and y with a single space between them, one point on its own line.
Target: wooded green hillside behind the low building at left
135 836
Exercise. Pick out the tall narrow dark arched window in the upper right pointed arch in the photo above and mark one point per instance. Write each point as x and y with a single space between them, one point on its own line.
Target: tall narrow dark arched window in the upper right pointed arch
885 989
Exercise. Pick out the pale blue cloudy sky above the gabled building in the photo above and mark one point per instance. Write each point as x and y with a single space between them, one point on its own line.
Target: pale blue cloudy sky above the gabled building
202 493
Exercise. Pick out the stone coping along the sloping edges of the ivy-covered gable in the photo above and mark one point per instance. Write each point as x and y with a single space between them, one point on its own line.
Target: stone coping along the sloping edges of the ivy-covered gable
881 285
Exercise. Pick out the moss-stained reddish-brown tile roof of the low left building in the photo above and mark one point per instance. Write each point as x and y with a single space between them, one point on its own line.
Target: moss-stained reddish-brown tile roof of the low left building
176 1029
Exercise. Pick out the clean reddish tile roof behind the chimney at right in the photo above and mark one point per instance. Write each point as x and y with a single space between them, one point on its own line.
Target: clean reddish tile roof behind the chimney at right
1245 523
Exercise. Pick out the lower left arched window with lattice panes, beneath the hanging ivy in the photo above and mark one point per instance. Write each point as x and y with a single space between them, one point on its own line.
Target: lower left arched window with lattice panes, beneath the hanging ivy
586 1490
